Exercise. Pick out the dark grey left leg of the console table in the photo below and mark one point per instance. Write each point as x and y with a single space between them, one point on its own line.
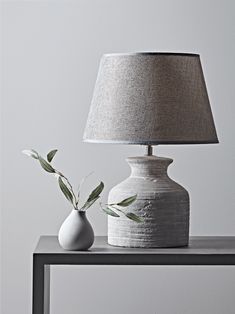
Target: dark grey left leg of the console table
41 287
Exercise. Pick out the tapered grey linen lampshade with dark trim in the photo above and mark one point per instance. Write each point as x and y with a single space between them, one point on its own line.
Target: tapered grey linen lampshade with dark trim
150 98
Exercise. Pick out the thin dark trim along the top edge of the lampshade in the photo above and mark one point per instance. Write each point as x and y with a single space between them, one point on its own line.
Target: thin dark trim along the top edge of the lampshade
152 53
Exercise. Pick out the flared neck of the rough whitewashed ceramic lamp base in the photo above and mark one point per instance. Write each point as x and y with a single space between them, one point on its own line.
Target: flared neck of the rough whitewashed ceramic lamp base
148 166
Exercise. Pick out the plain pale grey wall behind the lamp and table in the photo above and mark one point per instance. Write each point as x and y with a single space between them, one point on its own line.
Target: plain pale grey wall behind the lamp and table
51 51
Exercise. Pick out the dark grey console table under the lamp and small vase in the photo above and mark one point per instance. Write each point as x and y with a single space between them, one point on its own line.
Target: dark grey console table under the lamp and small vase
201 251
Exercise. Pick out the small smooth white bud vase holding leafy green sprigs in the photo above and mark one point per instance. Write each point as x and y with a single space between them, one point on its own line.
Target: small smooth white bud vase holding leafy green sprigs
76 232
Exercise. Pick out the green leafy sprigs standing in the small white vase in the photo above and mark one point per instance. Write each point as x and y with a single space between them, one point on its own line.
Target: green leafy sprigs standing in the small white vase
67 189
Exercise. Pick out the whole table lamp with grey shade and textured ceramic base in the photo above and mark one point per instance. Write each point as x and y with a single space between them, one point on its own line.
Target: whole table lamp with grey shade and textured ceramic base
150 98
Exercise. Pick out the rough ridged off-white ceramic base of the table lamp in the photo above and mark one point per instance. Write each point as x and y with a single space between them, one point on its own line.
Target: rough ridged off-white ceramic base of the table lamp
163 203
